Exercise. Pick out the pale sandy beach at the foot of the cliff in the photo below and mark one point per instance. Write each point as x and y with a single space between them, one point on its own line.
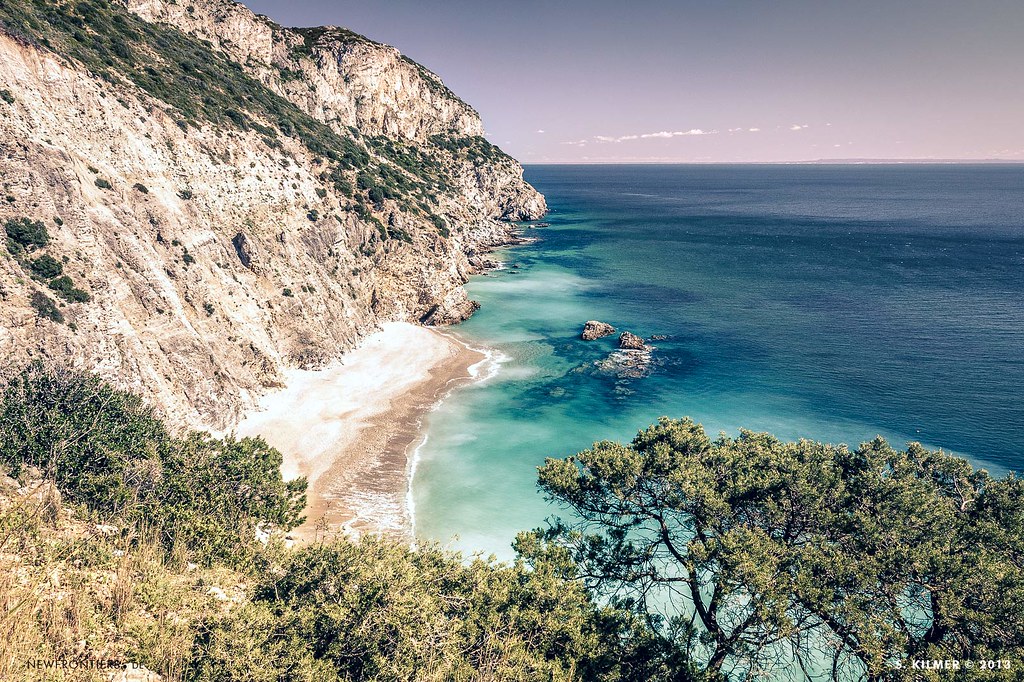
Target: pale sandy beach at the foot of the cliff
350 429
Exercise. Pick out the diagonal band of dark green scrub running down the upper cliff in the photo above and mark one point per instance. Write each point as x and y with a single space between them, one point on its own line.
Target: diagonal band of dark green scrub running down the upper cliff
201 86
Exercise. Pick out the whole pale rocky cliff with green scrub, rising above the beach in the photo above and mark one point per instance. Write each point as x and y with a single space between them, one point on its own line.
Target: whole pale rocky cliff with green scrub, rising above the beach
232 207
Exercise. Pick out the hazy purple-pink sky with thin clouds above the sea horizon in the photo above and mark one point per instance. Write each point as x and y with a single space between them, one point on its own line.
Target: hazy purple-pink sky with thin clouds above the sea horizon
626 81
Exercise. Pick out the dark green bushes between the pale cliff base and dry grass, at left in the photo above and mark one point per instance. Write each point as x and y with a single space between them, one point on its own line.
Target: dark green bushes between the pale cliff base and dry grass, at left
108 451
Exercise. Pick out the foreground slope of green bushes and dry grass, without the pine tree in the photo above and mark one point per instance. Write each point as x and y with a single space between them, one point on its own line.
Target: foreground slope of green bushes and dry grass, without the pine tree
370 611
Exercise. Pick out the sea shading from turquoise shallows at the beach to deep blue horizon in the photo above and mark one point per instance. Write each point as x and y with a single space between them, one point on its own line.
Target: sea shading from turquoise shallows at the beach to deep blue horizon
832 303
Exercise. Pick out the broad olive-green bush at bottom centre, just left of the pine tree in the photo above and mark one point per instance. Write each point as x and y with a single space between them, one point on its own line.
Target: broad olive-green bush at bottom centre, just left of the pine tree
376 611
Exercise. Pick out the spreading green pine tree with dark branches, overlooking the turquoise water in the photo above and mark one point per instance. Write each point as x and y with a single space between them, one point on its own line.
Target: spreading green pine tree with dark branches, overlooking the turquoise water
747 551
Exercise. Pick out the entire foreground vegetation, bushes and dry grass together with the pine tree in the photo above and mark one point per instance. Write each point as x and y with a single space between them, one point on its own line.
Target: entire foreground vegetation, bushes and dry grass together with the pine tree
686 560
